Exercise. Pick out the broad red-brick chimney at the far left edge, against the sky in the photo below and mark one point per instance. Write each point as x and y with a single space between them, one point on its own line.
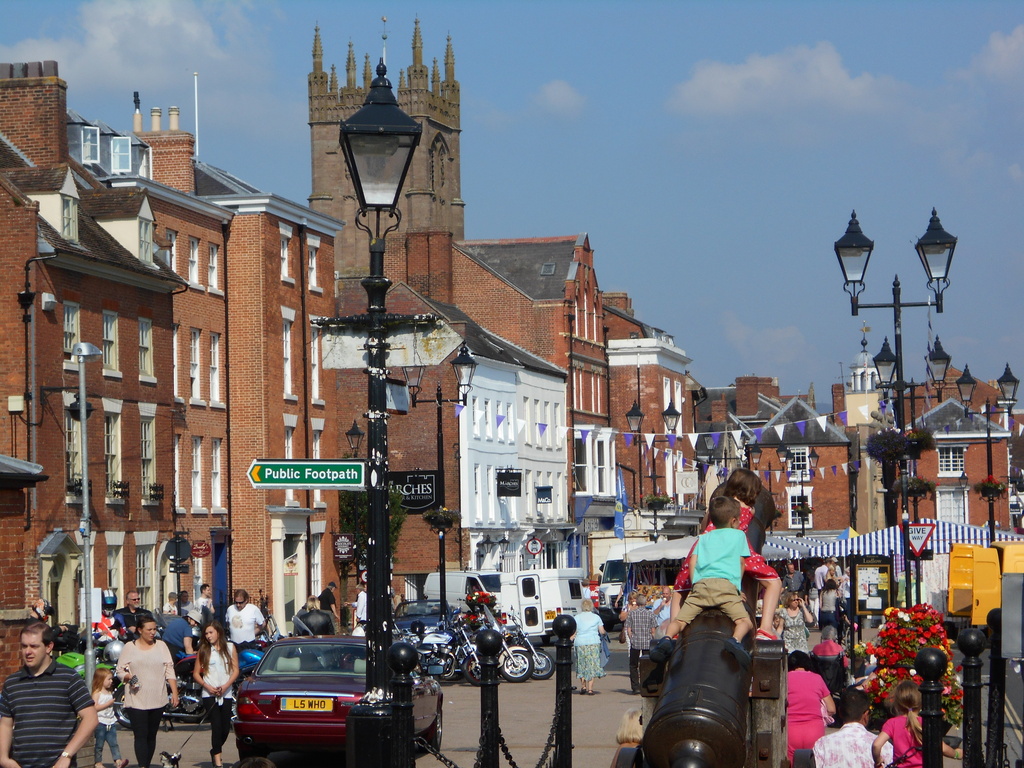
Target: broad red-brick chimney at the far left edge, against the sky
34 111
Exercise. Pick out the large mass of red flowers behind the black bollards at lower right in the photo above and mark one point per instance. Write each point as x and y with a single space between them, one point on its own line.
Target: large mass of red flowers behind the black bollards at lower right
905 633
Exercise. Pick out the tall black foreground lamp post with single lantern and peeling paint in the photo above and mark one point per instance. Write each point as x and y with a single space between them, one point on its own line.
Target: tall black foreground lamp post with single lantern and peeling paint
378 143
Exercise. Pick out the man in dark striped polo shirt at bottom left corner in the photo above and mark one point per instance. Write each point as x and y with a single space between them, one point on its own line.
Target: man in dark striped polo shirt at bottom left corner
47 712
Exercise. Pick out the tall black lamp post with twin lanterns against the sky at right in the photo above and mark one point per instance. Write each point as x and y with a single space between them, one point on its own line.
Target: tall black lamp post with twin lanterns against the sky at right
935 249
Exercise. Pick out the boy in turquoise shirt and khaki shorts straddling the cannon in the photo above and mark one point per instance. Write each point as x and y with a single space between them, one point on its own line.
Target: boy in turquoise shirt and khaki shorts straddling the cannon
717 568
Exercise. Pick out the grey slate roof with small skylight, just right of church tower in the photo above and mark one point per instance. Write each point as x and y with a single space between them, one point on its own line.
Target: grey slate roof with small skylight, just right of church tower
537 267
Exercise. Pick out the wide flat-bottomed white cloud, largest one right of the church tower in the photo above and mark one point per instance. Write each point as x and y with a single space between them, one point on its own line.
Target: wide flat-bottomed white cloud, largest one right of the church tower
795 78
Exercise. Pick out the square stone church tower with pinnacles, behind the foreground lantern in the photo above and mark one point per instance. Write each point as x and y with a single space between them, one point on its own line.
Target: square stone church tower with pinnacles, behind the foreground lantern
432 201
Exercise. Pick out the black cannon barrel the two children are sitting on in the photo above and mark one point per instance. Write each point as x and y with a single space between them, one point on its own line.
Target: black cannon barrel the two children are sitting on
701 718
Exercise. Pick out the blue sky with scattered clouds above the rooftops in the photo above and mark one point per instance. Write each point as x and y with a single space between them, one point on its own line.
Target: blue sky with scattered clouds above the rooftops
713 151
